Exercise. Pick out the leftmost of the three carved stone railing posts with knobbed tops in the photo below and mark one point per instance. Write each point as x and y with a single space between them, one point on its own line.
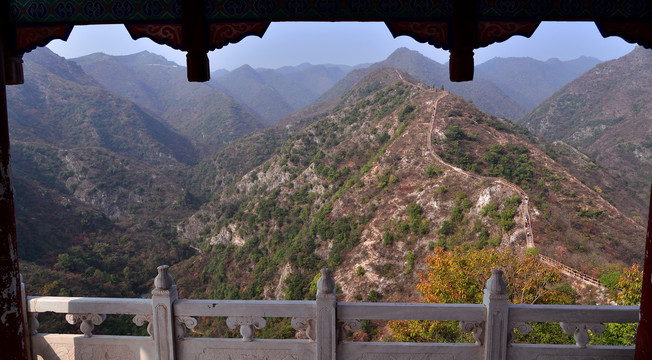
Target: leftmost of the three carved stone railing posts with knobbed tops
163 298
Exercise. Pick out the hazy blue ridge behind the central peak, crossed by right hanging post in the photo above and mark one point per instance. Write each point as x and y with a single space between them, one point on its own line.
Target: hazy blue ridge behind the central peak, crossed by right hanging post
499 93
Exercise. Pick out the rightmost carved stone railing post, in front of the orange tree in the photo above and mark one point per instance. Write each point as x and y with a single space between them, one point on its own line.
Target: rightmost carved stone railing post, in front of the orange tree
497 304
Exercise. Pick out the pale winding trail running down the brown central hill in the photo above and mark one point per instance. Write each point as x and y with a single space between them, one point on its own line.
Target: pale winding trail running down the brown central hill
526 221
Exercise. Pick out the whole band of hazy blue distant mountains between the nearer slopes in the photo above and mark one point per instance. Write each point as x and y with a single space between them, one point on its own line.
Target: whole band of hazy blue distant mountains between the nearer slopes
503 87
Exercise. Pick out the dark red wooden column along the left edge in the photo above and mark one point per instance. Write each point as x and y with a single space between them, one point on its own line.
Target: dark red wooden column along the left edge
12 329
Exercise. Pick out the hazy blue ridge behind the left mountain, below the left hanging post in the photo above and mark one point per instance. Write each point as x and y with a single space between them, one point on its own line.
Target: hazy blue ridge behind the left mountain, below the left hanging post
206 115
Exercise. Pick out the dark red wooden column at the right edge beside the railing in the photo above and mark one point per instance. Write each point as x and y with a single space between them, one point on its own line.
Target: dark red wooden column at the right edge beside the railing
644 332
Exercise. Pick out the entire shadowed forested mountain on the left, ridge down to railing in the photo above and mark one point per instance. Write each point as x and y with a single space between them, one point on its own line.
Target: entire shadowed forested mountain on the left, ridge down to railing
98 183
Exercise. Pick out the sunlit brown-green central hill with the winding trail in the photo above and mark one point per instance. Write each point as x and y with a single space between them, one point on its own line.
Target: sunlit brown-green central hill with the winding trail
363 187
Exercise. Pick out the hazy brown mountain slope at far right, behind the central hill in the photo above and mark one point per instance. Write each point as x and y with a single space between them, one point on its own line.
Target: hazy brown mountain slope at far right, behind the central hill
606 114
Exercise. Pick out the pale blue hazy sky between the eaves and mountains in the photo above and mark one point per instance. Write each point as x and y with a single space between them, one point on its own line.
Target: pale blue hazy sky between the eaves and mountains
346 43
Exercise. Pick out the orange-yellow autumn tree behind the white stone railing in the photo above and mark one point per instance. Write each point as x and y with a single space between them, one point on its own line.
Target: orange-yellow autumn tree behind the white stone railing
459 276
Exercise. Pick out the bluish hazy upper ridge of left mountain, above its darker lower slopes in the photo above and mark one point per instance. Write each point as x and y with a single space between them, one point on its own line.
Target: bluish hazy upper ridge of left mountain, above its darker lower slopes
63 105
